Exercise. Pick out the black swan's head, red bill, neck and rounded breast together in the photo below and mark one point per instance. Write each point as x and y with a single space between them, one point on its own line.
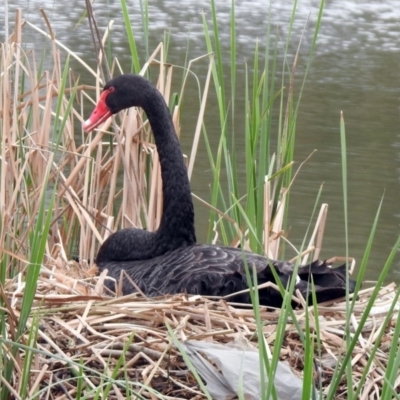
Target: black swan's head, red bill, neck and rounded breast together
177 222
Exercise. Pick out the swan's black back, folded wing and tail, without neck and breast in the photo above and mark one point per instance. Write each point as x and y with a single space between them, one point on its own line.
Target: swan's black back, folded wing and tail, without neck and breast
219 271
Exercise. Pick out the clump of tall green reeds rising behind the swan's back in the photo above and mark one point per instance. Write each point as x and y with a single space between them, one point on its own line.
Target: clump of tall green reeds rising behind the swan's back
269 146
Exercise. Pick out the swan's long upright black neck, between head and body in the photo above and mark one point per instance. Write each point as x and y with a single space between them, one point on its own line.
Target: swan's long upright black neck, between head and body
177 223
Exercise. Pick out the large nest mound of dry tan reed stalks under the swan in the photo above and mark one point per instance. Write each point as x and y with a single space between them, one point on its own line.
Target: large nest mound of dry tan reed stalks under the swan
129 338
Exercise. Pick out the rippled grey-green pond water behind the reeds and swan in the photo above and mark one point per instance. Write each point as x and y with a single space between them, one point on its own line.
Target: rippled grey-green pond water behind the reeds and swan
355 70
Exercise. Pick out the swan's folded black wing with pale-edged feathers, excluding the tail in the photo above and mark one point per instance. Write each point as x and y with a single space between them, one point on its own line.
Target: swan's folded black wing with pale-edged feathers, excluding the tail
201 269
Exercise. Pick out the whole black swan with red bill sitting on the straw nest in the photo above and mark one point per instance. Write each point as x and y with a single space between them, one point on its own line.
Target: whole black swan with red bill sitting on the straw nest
168 261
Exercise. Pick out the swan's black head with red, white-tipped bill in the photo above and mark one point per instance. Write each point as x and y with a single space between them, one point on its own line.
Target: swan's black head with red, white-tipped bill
122 92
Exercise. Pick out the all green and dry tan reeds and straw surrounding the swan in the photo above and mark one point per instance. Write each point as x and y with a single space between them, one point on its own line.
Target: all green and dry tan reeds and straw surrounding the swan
59 199
